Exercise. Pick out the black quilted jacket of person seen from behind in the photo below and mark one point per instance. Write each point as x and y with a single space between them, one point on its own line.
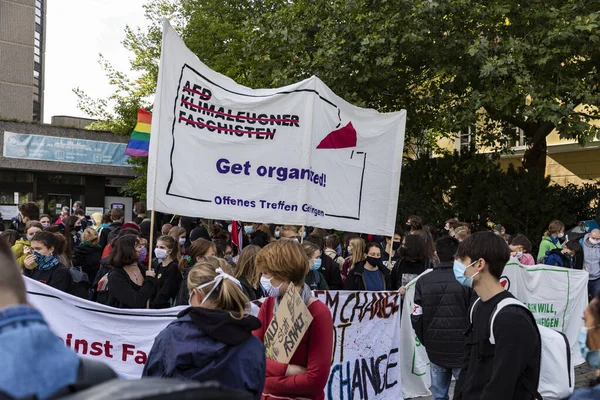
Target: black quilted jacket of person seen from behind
444 319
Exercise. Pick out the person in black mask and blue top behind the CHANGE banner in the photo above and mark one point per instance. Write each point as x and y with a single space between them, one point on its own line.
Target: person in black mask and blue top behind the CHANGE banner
369 274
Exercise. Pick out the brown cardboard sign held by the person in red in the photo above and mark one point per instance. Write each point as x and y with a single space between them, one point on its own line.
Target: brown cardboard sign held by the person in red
289 324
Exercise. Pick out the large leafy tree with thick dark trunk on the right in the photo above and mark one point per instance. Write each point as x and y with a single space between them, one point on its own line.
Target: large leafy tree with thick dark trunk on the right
530 65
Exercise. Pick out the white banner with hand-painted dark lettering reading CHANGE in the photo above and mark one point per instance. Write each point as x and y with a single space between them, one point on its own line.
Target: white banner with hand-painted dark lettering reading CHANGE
367 354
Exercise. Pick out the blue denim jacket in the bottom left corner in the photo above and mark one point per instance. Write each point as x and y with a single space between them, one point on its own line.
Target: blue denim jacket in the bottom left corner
33 361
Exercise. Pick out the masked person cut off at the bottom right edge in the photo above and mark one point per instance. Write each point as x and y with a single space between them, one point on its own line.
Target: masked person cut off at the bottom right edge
589 344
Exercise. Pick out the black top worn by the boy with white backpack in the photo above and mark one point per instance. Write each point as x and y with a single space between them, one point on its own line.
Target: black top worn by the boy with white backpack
497 372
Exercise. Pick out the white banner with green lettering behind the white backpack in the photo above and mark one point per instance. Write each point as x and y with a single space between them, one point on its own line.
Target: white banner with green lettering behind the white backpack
556 296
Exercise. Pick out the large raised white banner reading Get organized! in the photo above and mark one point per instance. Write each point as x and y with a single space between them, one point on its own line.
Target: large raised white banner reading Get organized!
299 154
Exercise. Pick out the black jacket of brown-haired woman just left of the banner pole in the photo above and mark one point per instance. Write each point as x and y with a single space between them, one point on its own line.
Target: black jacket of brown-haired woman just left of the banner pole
124 293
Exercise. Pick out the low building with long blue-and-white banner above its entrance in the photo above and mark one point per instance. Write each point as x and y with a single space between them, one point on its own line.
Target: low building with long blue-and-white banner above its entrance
55 166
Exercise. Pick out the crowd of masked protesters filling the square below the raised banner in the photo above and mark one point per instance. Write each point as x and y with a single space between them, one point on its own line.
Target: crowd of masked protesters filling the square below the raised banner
215 268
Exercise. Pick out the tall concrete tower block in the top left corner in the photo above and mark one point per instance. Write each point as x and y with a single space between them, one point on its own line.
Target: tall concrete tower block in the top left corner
22 48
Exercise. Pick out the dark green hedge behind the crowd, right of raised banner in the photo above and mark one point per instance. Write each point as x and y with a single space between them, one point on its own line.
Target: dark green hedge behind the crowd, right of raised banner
473 188
